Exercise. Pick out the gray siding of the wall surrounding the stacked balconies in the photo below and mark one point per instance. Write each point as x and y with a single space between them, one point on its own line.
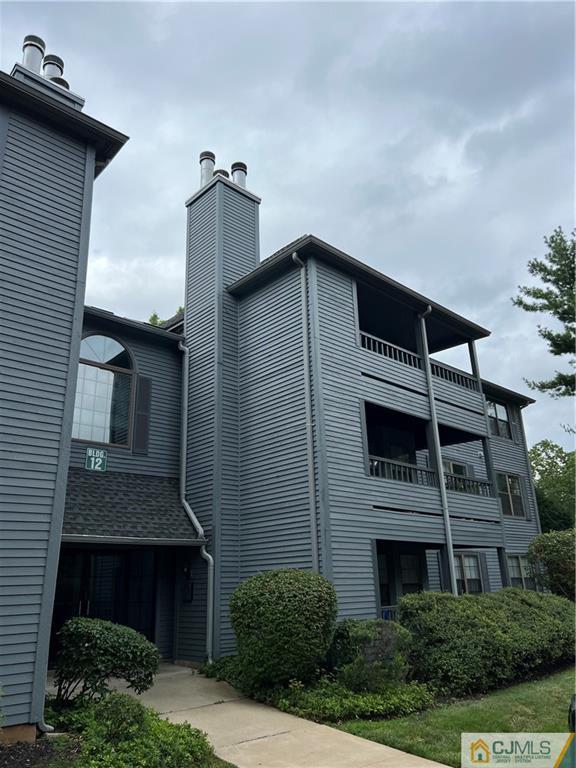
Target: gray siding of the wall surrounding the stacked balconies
364 508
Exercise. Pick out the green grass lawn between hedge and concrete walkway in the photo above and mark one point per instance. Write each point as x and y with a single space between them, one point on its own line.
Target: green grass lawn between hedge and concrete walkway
541 705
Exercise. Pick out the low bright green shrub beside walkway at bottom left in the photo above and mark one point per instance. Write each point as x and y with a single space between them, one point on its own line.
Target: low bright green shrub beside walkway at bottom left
119 732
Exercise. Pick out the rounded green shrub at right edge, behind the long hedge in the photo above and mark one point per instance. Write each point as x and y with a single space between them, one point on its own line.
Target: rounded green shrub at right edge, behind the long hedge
551 558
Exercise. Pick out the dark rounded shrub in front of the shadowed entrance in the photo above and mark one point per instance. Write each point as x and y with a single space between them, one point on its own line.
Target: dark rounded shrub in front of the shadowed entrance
93 650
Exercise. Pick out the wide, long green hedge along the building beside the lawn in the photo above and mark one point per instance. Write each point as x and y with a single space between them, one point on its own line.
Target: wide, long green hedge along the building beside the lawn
473 643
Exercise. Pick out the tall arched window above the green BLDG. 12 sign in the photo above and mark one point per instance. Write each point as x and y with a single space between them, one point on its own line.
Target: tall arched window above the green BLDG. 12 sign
104 392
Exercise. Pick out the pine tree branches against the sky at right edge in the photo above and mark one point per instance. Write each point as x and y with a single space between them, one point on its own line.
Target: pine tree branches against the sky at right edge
556 297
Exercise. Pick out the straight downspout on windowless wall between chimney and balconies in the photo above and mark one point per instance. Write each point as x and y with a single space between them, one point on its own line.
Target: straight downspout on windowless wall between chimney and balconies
308 409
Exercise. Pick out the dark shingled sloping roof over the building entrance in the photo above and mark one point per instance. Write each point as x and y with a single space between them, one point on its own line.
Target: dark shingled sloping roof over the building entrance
122 504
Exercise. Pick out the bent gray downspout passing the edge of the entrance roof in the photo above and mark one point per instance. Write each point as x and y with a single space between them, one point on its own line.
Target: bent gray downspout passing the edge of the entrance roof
187 508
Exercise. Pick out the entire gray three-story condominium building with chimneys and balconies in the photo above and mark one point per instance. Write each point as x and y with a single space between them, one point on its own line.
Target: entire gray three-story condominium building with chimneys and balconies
293 415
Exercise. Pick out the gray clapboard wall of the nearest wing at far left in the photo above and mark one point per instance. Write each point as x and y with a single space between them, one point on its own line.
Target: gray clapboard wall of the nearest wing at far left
45 196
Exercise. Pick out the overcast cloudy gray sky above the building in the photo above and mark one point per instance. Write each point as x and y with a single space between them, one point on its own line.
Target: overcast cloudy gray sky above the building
435 142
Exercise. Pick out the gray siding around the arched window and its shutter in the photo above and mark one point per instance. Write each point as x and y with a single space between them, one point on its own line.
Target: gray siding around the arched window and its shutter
163 365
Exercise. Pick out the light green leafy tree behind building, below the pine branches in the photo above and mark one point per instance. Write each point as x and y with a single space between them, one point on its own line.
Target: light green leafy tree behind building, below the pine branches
554 469
